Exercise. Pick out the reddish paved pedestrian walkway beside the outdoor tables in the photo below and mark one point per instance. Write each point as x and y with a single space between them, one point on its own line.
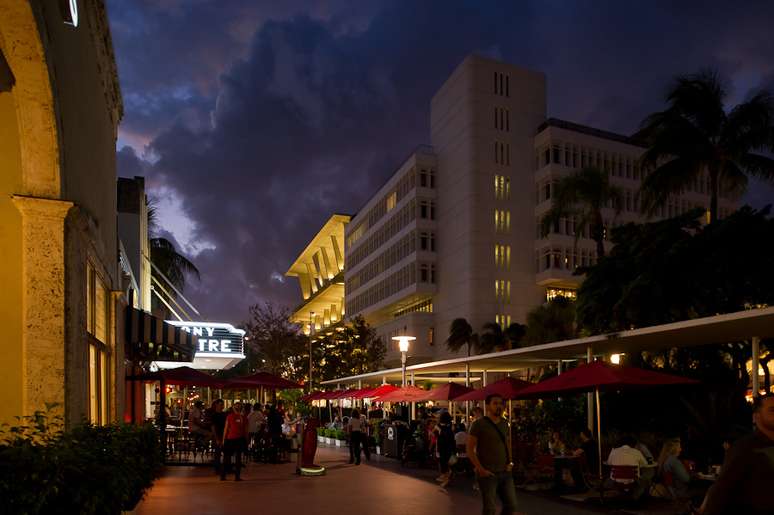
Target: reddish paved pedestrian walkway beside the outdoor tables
377 488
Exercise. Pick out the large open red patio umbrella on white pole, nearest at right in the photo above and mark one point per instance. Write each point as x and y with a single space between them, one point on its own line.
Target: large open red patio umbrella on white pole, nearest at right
601 376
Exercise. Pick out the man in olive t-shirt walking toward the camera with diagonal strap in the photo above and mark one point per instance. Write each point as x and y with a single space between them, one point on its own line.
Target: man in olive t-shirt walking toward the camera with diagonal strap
488 451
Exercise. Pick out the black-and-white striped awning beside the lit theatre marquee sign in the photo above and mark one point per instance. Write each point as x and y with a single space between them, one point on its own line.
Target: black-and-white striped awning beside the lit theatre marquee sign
149 338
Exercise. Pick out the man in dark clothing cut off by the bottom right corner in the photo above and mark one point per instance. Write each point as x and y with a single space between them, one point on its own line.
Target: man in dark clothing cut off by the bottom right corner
746 482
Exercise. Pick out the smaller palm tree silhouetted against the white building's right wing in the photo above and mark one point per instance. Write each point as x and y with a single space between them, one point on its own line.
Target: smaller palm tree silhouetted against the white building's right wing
582 195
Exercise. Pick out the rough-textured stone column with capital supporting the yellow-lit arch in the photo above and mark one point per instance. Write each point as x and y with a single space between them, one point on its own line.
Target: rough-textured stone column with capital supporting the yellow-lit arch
43 302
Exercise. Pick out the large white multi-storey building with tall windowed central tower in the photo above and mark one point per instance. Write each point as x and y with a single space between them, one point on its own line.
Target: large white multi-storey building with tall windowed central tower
455 231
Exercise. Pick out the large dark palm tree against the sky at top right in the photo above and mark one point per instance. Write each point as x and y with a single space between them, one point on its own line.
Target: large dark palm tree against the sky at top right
695 134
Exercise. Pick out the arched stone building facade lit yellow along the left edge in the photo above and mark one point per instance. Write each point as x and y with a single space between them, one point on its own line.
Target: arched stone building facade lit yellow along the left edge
60 299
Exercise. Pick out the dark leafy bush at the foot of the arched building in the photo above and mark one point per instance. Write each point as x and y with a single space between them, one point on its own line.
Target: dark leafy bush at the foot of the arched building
88 470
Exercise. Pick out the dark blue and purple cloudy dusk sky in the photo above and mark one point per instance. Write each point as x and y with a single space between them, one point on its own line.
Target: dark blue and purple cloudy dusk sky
253 121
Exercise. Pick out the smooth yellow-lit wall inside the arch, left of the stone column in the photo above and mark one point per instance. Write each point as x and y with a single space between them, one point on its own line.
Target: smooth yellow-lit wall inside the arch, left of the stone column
10 262
